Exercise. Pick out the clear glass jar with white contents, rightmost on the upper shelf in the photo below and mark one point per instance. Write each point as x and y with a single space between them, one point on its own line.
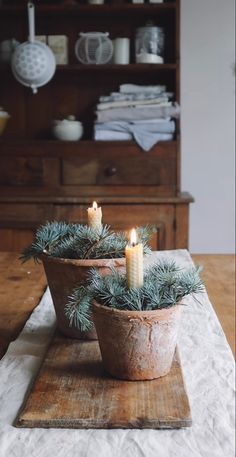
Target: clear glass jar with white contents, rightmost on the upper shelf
149 44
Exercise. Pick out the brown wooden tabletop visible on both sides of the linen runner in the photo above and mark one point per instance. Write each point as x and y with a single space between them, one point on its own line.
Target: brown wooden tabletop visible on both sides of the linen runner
22 285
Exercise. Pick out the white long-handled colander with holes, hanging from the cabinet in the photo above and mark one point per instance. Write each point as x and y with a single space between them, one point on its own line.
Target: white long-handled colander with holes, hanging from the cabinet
33 63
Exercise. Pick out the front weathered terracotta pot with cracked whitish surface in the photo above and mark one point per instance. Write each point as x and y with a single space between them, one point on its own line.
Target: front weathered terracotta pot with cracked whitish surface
137 345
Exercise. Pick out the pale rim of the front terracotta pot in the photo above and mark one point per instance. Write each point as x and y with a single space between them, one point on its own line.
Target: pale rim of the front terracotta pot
126 314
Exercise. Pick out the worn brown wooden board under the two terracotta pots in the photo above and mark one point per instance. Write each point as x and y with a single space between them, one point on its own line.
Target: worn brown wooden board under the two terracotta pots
72 391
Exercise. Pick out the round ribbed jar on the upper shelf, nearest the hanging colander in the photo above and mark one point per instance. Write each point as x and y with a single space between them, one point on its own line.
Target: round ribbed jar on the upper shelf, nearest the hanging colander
94 48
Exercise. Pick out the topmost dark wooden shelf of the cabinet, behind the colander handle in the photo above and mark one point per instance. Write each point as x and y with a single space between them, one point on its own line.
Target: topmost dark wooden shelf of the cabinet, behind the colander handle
96 10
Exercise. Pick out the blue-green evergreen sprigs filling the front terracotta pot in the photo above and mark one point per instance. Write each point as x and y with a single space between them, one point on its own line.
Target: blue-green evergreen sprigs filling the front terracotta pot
165 284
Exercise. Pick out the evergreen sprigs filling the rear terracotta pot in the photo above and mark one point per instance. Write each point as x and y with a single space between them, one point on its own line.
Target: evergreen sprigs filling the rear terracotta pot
77 241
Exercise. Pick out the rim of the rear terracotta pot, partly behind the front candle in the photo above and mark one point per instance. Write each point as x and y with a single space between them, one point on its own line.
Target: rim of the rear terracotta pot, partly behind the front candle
84 262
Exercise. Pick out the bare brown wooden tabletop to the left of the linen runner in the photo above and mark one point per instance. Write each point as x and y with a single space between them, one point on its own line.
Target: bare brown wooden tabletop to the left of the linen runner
21 287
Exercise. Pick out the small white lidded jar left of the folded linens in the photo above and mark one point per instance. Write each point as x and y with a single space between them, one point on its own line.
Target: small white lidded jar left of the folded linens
68 129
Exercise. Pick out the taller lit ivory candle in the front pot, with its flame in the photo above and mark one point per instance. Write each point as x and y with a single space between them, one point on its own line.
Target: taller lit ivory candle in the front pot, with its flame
134 262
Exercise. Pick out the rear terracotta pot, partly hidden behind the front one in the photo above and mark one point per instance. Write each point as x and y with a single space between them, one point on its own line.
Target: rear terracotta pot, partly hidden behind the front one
62 276
